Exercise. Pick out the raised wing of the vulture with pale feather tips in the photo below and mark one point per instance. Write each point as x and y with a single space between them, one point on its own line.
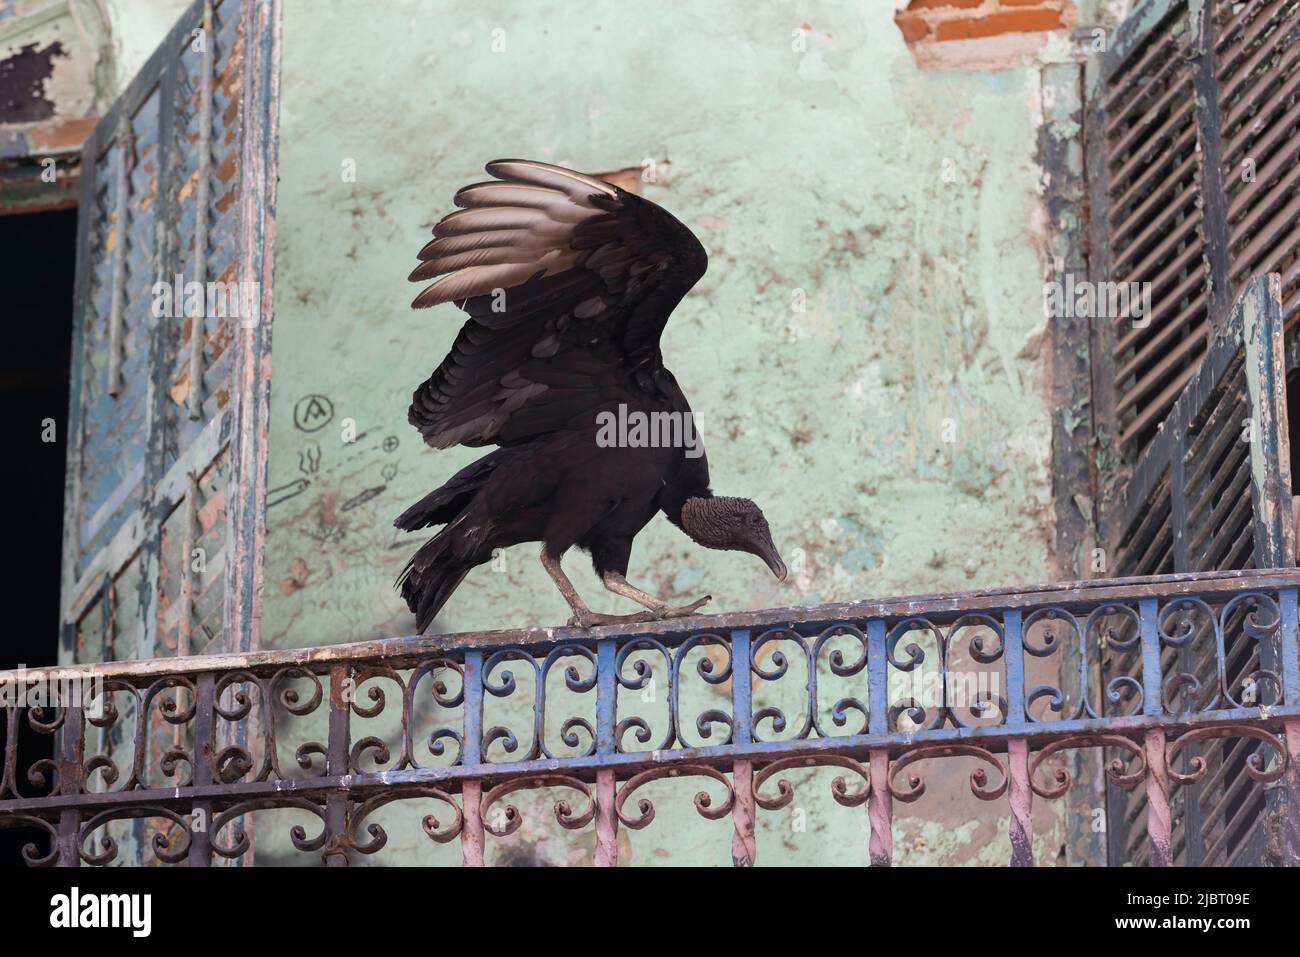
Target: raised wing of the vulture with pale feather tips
569 283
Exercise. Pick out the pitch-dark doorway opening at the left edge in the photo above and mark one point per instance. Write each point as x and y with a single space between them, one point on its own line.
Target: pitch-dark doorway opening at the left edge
40 254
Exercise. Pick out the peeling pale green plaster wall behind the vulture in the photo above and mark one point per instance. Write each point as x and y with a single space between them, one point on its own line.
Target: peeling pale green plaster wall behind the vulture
896 432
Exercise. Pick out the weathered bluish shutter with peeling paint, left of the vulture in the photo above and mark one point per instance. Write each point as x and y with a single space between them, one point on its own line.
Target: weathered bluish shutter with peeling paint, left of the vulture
167 452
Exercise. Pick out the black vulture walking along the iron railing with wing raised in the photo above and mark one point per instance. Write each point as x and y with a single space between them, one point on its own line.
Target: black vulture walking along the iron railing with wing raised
569 283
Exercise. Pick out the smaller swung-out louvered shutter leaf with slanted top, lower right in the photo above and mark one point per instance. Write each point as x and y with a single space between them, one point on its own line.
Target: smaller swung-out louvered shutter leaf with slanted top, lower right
1212 491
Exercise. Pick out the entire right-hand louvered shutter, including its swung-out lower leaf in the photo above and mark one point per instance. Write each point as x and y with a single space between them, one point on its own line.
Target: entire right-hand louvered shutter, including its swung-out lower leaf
1193 162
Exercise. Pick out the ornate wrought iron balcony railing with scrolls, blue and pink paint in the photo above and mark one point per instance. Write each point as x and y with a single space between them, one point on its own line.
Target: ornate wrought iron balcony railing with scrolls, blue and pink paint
189 748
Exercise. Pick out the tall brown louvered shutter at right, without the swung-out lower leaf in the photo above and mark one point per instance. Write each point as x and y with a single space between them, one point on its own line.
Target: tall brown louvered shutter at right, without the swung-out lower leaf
1194 167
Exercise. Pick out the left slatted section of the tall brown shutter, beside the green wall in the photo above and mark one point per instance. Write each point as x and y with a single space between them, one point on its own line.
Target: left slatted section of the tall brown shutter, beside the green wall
1147 222
